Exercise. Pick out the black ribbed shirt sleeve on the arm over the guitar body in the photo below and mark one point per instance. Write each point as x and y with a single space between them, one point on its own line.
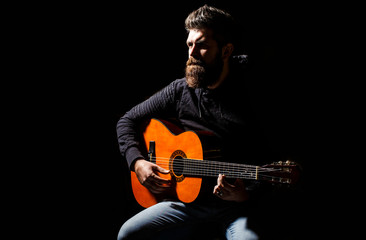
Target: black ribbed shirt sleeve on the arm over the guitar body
159 105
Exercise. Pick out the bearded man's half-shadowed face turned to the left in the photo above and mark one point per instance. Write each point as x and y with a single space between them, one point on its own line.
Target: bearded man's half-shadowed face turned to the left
204 64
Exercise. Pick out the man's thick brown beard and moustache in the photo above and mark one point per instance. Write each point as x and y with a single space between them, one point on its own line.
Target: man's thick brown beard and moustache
201 75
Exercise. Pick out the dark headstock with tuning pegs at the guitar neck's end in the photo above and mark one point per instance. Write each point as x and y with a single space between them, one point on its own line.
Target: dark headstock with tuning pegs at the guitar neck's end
281 172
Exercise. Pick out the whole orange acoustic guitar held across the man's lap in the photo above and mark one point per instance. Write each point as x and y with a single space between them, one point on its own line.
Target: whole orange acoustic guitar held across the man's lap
183 154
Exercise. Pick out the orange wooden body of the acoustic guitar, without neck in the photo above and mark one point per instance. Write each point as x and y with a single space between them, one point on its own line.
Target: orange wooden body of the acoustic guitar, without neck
169 147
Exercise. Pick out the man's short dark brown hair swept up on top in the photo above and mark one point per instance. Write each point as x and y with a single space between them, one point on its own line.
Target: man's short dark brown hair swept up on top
220 22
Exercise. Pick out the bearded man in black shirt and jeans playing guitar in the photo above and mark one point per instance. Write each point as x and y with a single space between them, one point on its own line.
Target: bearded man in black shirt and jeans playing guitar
212 97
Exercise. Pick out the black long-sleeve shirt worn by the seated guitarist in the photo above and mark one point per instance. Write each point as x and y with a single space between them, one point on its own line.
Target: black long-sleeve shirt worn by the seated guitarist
225 111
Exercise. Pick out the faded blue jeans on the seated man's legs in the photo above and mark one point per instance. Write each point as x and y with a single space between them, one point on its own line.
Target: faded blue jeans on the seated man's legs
176 220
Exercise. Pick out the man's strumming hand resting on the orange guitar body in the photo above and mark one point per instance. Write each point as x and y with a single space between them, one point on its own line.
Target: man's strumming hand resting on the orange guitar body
146 173
